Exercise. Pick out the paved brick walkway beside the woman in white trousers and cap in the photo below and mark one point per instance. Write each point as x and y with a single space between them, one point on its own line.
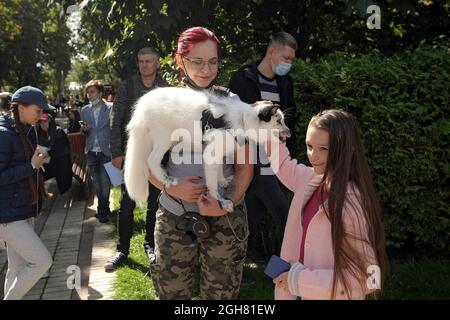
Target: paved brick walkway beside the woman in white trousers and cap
80 246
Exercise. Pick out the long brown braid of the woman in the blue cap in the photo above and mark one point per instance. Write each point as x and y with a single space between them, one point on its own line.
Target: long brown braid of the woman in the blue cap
28 152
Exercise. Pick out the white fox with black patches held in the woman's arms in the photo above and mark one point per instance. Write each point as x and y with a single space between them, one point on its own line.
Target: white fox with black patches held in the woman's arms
160 112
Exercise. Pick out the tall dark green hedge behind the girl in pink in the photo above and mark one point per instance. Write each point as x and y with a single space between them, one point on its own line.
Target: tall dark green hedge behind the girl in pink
402 103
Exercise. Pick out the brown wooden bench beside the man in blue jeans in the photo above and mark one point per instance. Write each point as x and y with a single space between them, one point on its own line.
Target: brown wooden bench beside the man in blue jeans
80 169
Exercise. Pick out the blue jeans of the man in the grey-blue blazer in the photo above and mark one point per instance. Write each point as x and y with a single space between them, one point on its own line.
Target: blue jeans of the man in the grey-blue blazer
100 179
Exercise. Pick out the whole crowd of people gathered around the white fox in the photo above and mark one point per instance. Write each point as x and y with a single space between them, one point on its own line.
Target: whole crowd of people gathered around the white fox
330 233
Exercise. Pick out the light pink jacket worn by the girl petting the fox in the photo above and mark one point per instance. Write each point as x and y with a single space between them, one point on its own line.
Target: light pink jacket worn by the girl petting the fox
314 279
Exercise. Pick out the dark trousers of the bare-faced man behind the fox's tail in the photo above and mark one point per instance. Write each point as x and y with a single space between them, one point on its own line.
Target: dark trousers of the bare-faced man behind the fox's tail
126 218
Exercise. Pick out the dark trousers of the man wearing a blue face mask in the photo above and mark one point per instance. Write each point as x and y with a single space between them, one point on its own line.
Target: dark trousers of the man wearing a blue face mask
265 196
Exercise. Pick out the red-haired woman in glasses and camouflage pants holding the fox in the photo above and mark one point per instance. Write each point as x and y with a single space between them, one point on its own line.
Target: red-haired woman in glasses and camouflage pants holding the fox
191 227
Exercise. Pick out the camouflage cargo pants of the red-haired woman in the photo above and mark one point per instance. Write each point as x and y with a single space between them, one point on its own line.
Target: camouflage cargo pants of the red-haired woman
221 256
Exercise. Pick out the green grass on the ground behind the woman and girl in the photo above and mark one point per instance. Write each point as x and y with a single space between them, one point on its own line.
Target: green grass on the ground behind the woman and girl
427 278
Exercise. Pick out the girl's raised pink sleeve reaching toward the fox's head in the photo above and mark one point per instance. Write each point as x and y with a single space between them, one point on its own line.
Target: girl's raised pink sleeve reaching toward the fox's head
288 171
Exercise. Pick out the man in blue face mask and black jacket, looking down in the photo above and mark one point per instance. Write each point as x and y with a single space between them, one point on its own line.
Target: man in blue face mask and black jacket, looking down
268 79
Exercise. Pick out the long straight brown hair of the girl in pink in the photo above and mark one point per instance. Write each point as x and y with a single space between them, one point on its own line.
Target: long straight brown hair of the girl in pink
347 166
